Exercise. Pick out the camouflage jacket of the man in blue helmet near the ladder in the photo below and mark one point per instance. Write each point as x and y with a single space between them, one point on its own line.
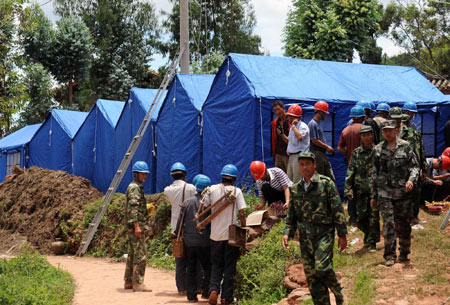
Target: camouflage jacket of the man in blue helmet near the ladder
136 206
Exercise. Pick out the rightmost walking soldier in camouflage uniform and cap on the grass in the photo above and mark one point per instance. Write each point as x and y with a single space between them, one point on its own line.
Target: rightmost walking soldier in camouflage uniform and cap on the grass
394 174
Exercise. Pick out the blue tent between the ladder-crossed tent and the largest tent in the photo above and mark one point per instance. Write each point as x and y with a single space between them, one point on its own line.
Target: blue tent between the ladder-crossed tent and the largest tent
179 126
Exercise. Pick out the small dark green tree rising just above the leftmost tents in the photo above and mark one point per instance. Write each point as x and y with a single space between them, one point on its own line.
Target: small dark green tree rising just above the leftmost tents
39 89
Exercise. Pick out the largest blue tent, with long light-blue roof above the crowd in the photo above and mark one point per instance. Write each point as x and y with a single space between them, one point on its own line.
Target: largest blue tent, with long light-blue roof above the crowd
237 112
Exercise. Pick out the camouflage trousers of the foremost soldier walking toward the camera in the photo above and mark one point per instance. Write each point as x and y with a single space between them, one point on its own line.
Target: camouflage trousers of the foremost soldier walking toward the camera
317 258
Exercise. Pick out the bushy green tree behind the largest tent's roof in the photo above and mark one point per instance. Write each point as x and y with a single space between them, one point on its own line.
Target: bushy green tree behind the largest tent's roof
333 30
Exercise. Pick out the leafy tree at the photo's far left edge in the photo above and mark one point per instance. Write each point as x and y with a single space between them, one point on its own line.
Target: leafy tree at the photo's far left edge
12 89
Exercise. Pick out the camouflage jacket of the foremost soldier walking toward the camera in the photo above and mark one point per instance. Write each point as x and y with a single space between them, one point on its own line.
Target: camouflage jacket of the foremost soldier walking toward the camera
316 209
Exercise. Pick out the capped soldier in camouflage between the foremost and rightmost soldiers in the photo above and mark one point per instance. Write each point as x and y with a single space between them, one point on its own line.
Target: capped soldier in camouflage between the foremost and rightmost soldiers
357 188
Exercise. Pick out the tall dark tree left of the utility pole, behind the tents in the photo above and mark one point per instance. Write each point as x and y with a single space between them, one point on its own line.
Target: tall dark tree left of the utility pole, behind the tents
125 35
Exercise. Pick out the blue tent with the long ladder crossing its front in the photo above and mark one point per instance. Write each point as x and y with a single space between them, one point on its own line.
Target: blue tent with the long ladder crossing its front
132 115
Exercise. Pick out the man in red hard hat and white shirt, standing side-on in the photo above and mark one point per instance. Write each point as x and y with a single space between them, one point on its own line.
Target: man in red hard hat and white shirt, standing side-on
298 140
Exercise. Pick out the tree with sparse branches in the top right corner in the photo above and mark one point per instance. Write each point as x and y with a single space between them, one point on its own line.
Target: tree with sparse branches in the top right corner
422 28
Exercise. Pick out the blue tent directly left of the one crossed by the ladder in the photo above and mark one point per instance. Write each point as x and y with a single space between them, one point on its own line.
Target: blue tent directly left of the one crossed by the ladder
94 142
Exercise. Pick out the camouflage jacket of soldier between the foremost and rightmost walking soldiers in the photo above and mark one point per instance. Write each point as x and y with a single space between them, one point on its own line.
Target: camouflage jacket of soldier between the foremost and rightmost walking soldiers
357 179
